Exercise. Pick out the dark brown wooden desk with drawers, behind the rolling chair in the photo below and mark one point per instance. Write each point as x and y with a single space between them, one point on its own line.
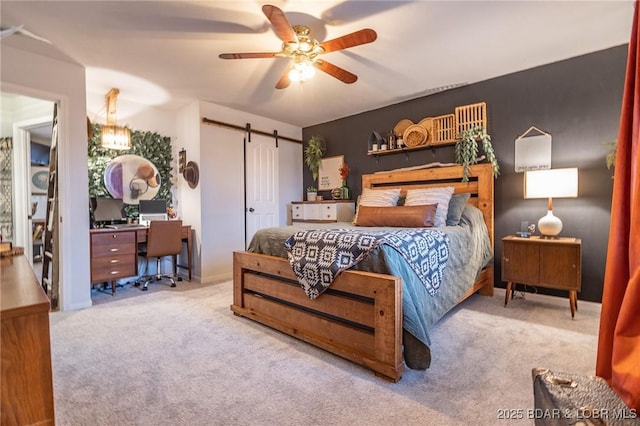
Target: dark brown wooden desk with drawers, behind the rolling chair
114 253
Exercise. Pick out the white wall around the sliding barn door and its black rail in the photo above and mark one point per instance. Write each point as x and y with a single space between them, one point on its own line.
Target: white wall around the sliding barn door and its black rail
216 207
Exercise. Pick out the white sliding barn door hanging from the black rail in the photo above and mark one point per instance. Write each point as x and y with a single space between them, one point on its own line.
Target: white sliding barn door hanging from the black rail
262 184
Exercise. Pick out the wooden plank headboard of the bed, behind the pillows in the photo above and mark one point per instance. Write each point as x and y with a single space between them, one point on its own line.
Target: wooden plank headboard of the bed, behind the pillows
480 185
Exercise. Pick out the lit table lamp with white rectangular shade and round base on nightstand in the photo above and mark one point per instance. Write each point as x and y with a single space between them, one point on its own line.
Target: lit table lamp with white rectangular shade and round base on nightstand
551 183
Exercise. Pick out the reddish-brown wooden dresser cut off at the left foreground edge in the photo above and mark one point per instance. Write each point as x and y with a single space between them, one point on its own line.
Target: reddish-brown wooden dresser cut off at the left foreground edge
27 385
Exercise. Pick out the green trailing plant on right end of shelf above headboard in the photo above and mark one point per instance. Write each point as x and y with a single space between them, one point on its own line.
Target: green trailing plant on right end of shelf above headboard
467 147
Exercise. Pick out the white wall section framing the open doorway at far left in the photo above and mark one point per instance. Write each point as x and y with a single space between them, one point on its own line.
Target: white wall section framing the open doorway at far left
51 79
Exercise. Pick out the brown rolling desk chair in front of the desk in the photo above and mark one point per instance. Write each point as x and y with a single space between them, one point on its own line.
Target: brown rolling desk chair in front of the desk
164 238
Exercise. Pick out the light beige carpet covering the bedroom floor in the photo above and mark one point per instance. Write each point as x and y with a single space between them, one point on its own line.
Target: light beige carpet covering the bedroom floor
180 357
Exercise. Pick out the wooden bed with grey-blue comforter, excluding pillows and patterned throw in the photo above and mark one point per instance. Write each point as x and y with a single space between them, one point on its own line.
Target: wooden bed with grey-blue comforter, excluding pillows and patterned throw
374 316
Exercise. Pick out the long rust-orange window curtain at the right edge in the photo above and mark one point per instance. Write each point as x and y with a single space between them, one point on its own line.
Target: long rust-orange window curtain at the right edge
618 358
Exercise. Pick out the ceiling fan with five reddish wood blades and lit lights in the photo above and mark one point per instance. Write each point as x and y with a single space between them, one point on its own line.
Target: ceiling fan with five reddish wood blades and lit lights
303 50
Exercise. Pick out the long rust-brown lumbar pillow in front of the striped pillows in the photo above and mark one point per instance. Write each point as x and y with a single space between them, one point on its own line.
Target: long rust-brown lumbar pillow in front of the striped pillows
400 216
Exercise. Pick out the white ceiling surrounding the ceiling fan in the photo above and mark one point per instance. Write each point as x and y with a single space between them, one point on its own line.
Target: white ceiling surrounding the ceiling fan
165 53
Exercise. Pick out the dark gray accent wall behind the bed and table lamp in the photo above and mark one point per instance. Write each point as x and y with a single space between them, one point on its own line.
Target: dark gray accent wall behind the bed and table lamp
577 101
